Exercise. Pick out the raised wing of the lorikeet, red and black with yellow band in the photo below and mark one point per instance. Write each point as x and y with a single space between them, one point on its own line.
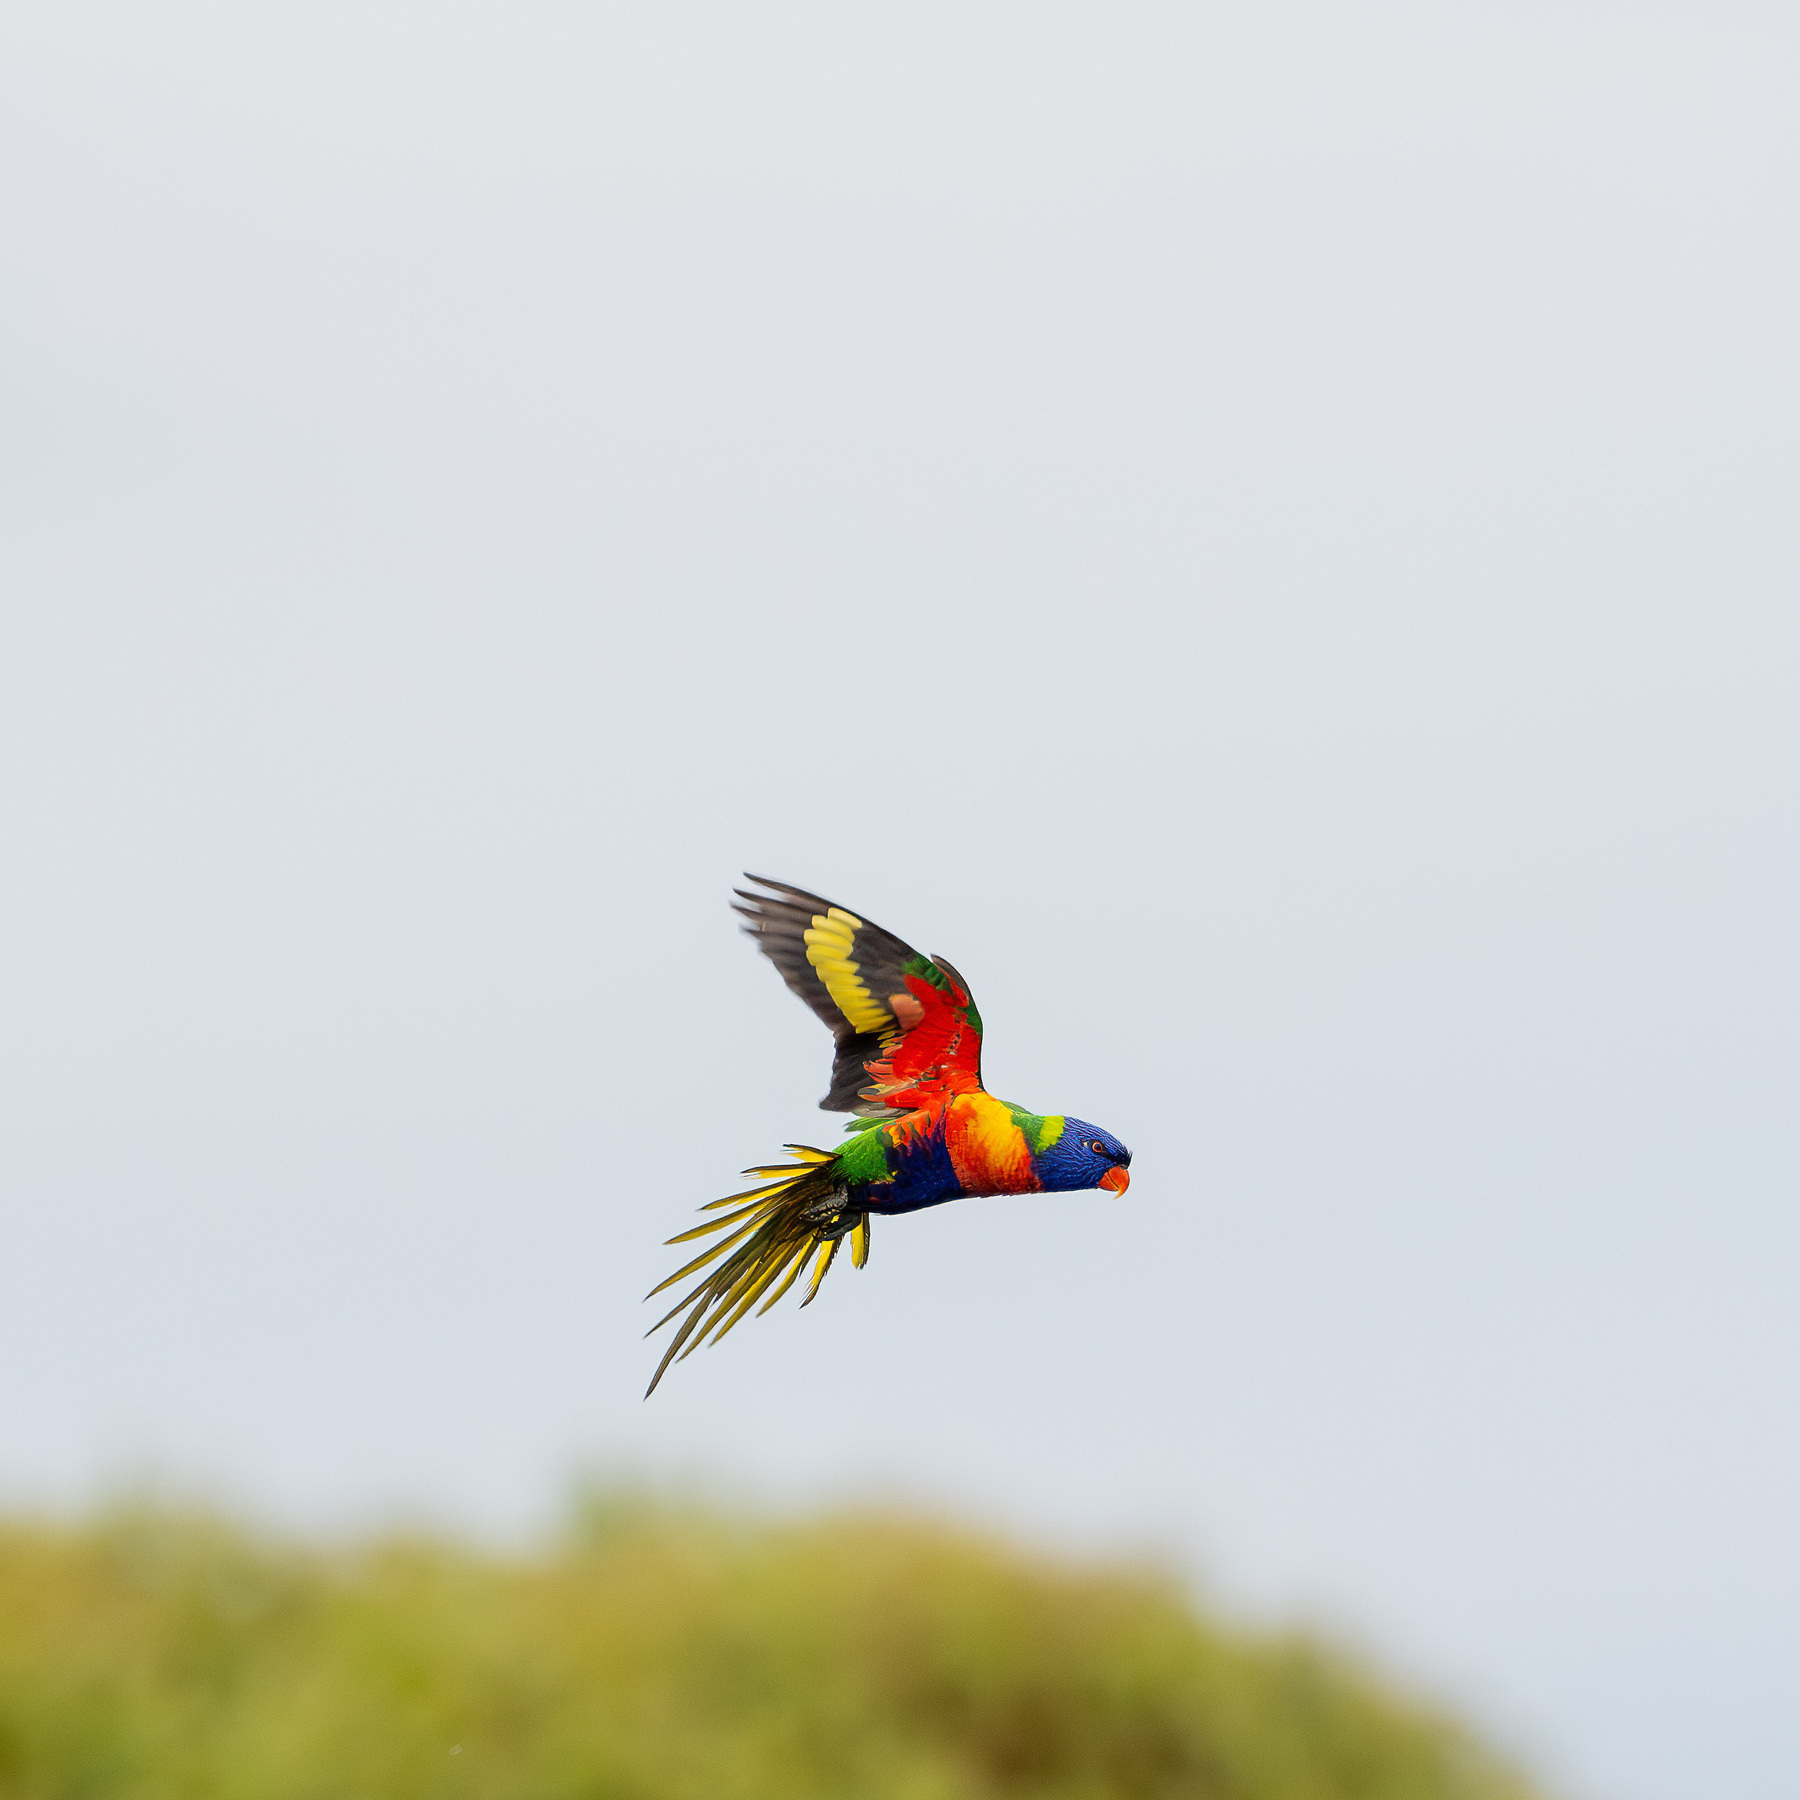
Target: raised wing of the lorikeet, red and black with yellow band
906 1027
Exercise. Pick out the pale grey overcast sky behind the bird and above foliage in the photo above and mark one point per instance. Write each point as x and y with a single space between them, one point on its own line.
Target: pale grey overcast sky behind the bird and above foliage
1268 535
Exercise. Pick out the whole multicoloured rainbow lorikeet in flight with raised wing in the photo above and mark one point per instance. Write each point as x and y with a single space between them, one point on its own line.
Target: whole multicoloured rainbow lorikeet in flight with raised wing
928 1131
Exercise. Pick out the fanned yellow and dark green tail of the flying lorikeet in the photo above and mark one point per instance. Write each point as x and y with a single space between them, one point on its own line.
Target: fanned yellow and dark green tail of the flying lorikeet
787 1225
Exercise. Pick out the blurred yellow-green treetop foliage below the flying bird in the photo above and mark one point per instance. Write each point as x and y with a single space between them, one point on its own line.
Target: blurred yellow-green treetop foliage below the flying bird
667 1655
